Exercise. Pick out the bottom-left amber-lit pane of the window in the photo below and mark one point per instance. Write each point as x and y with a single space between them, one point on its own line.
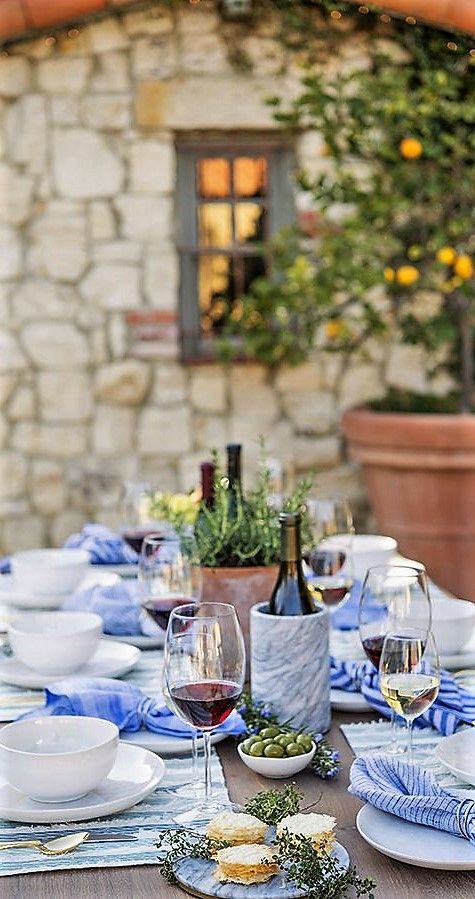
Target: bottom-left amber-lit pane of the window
216 291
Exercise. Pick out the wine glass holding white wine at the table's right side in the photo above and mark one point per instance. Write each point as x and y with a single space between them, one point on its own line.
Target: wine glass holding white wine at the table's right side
409 675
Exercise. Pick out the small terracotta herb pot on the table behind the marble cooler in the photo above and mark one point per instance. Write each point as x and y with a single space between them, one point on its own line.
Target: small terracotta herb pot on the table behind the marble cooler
242 588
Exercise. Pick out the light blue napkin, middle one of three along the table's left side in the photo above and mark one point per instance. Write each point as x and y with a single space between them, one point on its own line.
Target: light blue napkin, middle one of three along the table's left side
119 607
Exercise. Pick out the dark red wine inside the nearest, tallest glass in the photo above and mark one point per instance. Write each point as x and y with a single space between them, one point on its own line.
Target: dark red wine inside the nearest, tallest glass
206 704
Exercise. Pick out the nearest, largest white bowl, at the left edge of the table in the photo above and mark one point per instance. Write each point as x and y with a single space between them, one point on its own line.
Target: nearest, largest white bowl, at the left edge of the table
58 759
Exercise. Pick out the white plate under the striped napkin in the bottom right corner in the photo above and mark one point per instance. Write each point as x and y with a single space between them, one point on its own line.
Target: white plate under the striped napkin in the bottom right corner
414 844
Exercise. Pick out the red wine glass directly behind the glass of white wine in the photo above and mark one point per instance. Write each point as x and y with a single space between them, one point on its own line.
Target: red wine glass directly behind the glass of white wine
392 596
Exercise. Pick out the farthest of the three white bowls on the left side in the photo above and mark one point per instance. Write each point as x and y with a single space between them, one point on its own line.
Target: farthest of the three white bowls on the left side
44 571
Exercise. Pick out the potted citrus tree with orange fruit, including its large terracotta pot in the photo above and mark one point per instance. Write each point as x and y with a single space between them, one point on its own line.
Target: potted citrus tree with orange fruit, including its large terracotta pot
387 262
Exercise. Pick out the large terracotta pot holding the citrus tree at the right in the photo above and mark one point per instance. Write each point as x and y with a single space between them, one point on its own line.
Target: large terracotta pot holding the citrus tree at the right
420 475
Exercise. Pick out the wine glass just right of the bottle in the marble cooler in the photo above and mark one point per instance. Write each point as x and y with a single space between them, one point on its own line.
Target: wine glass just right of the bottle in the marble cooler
331 576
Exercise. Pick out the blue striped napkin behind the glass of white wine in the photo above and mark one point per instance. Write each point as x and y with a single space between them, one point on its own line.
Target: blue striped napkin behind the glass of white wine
454 705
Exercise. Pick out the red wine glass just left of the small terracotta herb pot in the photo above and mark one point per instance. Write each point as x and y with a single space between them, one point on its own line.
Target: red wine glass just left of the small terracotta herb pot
169 574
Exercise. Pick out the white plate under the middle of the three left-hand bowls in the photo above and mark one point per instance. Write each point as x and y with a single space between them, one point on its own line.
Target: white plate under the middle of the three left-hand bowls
109 660
